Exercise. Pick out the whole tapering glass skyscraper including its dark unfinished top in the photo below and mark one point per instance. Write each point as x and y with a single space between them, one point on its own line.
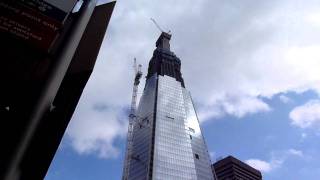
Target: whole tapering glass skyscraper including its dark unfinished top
167 143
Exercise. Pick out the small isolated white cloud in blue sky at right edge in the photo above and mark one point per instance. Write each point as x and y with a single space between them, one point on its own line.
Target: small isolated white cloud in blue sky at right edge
306 115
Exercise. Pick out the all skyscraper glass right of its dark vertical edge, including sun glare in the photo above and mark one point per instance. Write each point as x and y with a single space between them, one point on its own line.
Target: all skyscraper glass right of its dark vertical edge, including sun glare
180 151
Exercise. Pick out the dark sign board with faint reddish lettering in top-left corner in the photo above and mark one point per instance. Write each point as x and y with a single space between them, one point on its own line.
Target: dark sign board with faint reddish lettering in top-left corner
34 21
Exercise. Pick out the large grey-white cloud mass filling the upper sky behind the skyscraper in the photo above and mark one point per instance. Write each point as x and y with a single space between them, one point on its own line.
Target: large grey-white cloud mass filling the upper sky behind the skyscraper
234 55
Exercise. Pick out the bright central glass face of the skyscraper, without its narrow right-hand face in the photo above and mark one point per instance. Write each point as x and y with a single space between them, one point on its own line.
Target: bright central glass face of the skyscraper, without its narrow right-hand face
173 157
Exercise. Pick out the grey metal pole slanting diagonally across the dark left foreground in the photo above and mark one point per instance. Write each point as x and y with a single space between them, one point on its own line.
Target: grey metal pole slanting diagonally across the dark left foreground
51 86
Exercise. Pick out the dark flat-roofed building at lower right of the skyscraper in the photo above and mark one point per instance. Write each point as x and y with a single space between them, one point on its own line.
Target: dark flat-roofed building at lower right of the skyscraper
232 168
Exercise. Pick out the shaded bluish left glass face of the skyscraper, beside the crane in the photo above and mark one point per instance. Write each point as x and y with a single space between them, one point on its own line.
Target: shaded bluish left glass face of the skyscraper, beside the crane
142 133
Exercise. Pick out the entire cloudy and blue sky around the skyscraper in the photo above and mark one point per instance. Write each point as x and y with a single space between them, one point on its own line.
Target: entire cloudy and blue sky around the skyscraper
253 70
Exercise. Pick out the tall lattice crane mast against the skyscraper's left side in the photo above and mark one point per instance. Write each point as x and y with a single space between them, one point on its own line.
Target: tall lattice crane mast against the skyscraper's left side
132 118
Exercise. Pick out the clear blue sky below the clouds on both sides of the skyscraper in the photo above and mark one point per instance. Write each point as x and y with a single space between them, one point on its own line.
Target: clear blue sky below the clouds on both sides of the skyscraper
269 137
